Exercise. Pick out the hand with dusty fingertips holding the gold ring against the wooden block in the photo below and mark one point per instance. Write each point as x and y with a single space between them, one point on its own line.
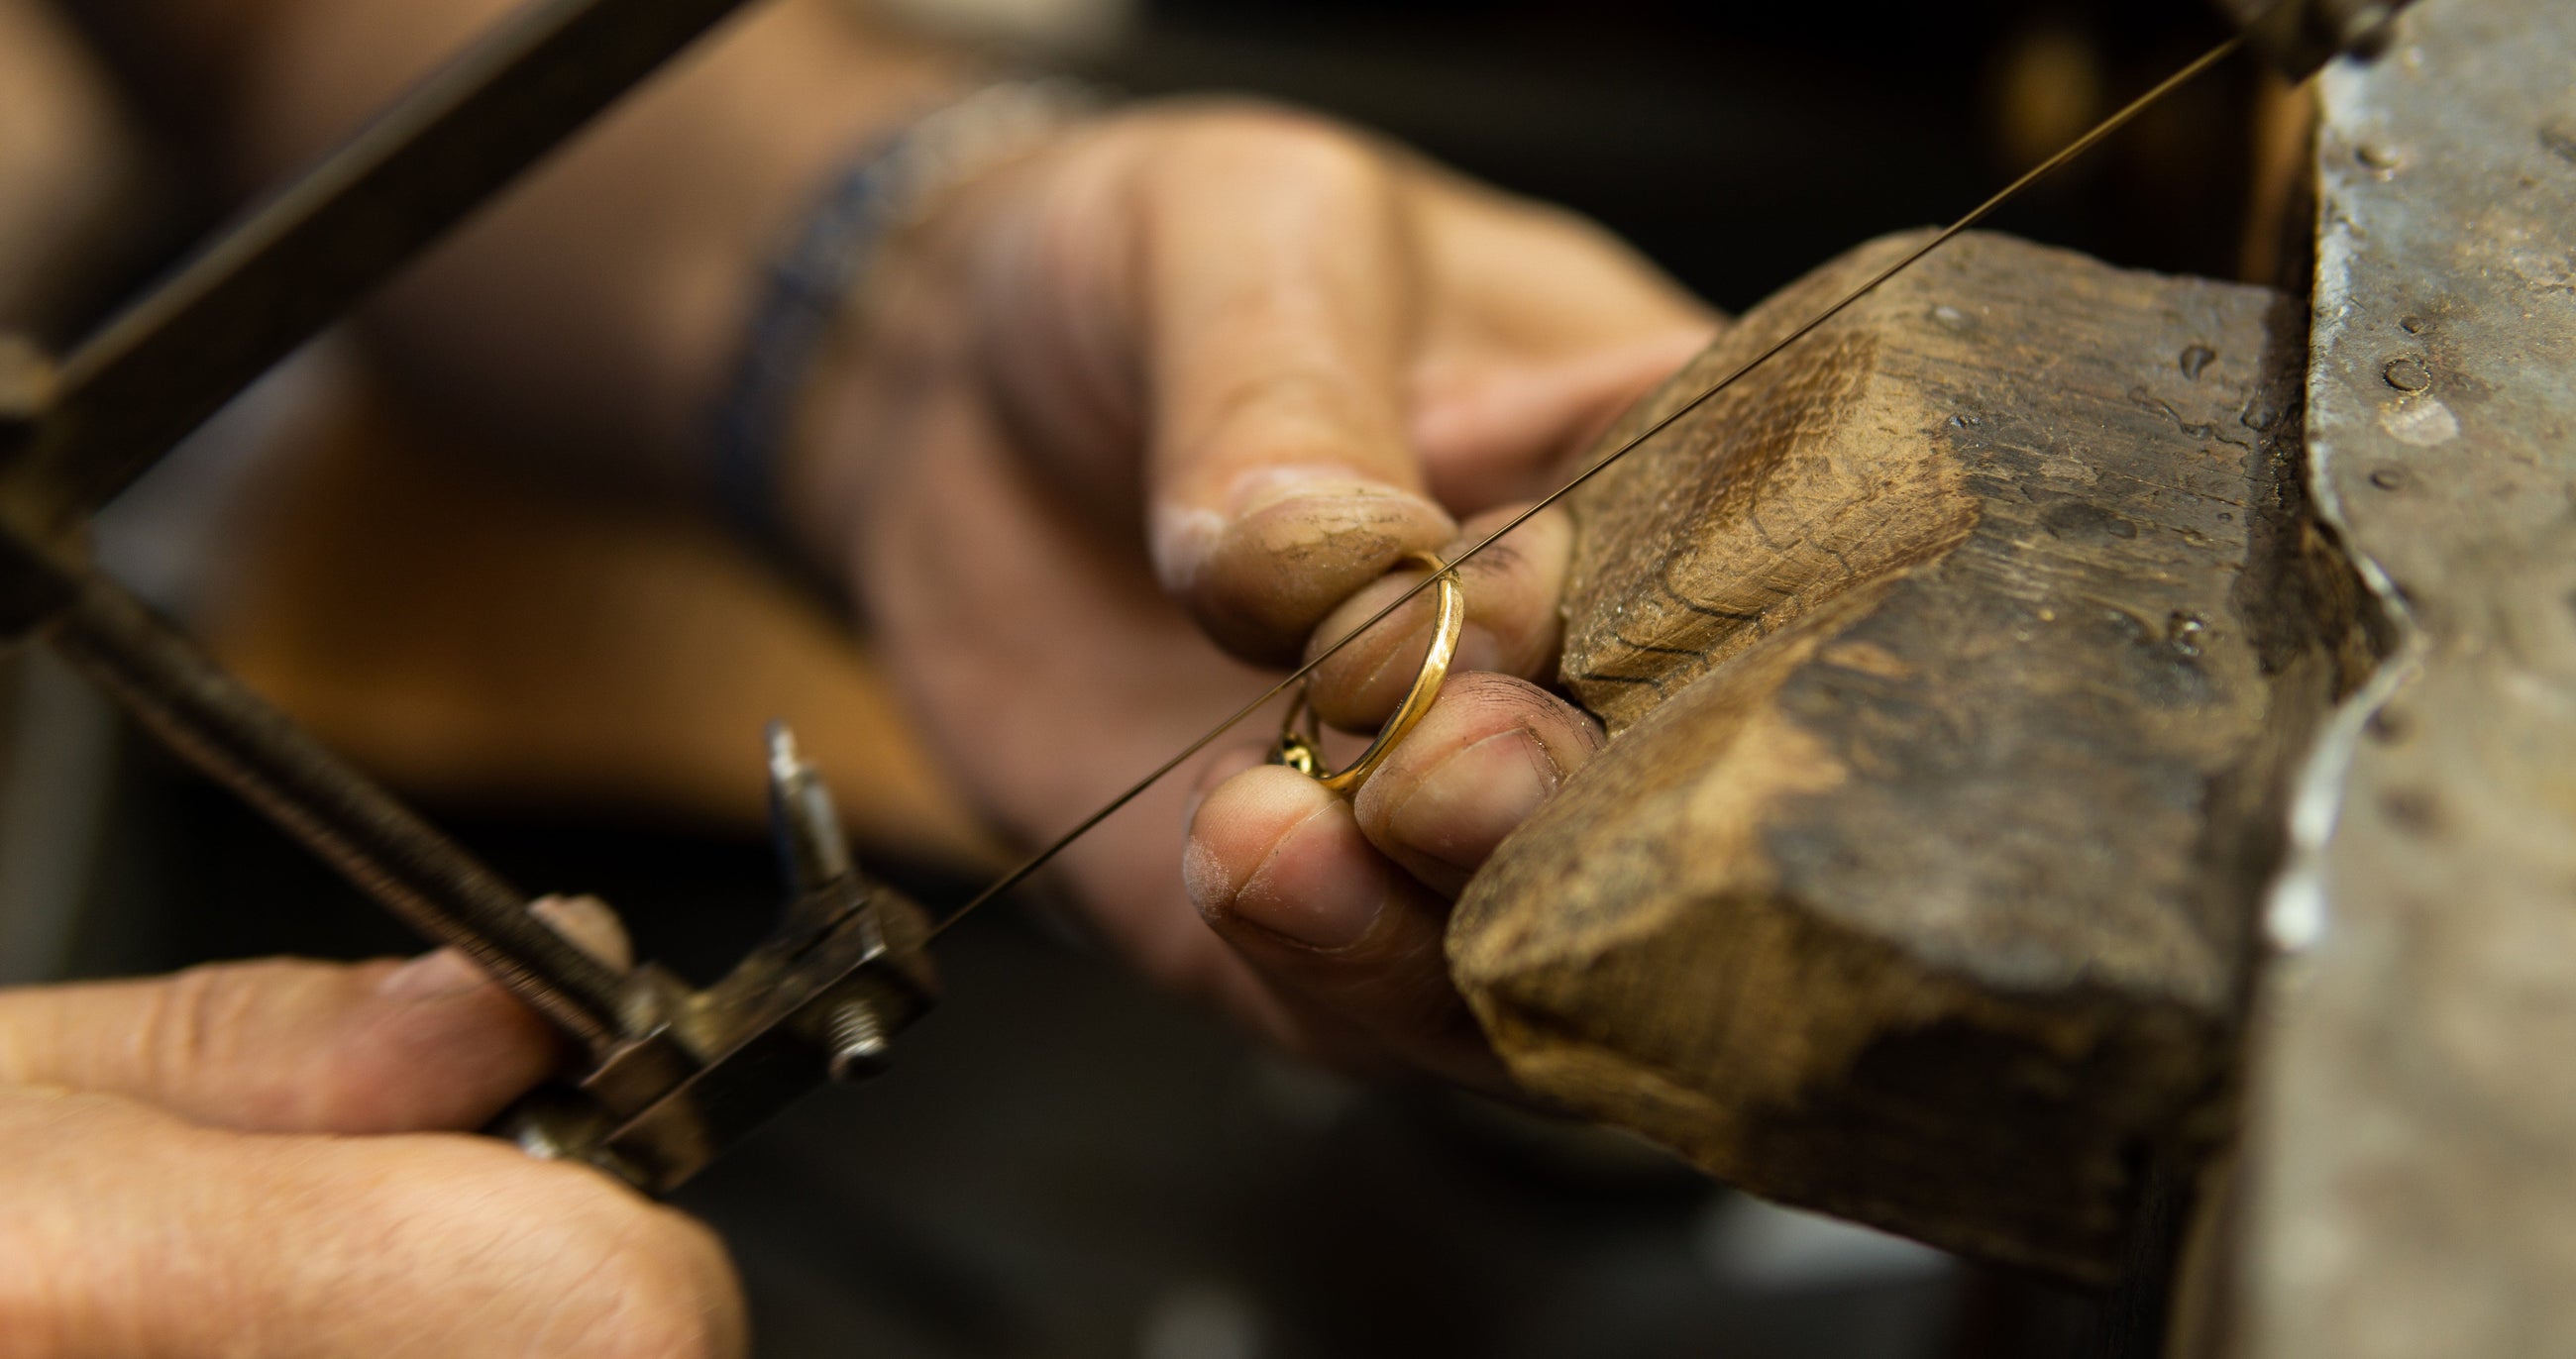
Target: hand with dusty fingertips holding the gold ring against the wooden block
1209 372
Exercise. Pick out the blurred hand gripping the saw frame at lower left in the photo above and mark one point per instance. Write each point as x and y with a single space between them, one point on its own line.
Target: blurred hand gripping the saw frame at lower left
272 1160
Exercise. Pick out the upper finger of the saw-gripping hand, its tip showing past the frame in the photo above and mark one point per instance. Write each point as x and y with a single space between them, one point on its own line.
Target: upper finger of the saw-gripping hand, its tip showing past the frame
295 1046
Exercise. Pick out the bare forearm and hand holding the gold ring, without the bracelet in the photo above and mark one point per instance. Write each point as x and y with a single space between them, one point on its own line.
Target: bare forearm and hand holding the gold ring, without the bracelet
1191 372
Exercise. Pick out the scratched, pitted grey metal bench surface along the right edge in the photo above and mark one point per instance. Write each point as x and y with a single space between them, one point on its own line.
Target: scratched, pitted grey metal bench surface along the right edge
2412 1139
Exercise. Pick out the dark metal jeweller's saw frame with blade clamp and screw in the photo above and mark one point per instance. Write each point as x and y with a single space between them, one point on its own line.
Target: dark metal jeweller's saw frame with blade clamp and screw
671 1075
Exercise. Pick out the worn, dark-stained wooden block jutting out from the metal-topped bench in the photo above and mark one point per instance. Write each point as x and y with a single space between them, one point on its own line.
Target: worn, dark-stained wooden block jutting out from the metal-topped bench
1951 665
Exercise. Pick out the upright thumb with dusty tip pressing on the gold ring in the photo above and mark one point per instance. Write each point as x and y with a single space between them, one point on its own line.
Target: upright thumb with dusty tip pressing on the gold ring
1279 313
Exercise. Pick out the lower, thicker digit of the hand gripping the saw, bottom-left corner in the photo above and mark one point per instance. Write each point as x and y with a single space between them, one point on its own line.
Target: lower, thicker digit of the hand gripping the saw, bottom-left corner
133 1234
